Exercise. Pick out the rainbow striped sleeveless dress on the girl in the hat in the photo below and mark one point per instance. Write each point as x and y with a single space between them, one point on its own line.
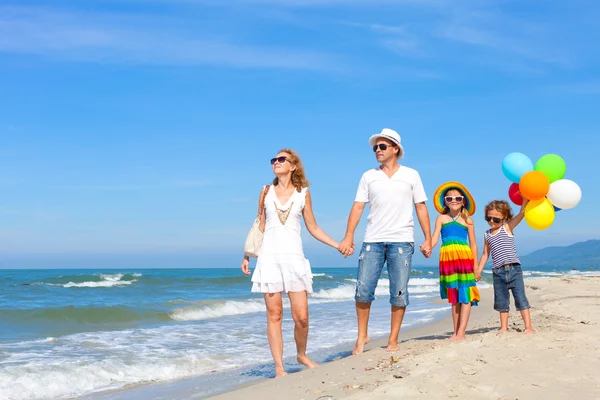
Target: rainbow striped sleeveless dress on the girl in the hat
457 280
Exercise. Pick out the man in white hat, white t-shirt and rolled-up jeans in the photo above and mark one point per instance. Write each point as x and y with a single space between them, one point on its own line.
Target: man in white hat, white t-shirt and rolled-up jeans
391 191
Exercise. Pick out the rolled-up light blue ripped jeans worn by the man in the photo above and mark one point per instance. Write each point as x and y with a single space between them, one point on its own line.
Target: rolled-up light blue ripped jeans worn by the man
398 256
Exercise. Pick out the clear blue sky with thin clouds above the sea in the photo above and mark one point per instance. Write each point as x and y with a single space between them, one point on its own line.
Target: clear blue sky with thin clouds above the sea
138 133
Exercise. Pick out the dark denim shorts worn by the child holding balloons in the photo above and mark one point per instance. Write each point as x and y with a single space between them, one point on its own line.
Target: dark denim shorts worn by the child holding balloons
509 277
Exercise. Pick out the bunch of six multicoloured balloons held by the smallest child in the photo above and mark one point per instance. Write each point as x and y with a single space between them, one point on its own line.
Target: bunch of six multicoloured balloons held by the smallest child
543 184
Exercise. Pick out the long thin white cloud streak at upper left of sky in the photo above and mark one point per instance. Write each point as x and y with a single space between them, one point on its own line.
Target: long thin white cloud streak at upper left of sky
109 38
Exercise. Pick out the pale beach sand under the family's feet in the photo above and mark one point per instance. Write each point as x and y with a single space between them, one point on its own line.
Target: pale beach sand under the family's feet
561 360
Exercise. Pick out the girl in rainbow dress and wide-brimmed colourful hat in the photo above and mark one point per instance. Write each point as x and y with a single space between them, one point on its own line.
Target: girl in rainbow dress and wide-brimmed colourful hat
458 254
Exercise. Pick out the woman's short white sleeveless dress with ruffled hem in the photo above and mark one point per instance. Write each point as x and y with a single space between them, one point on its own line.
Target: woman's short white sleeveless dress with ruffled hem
281 266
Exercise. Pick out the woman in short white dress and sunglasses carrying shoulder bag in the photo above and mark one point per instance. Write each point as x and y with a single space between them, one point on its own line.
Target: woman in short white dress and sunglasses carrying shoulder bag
281 266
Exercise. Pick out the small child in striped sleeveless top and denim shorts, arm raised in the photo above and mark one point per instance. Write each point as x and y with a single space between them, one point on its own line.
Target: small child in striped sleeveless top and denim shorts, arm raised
506 266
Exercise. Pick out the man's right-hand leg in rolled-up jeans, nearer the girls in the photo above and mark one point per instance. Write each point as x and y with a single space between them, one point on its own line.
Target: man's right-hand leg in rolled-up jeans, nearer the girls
399 264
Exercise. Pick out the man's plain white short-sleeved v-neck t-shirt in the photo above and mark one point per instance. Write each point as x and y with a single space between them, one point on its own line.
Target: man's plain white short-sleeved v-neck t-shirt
391 201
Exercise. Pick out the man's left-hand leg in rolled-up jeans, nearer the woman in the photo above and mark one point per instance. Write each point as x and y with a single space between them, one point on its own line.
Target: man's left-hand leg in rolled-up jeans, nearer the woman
370 264
